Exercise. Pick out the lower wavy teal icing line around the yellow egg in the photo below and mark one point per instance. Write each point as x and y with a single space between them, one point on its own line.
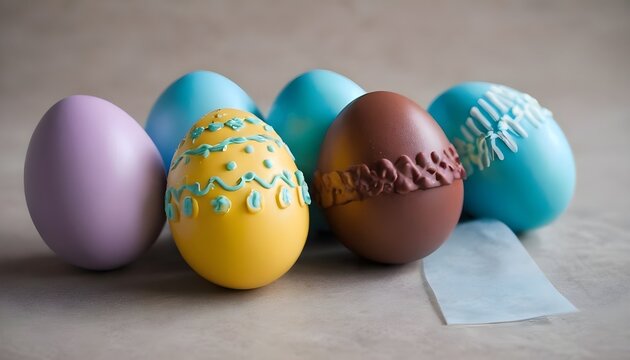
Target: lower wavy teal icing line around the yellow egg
197 190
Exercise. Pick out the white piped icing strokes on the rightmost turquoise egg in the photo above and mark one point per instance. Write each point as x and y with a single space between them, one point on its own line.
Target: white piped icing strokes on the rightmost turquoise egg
497 116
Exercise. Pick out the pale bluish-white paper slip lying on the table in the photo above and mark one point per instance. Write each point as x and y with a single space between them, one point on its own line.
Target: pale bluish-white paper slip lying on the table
483 274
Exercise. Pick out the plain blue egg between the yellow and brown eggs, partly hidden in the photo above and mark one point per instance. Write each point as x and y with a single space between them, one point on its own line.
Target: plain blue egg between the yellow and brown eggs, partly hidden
305 108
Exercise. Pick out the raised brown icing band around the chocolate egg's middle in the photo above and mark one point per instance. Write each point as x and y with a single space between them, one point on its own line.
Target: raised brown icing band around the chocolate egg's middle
403 176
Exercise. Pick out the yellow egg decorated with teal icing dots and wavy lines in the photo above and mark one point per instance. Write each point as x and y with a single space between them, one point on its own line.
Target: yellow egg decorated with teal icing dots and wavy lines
236 203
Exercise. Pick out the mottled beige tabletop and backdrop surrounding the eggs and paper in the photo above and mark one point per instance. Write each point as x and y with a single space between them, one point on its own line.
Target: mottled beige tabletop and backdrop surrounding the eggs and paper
574 56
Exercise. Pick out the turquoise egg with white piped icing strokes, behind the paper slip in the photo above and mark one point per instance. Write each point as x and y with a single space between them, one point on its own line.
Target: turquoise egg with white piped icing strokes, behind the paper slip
519 163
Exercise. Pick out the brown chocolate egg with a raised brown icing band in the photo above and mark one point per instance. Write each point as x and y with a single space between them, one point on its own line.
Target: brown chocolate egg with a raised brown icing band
389 181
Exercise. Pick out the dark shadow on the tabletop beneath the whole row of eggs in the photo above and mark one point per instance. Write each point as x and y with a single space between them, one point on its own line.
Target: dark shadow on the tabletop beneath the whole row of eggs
162 272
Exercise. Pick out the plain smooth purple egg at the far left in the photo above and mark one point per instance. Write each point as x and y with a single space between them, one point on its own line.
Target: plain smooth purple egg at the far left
94 183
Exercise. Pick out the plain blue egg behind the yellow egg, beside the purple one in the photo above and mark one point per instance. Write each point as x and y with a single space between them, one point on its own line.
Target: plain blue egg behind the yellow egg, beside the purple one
185 101
